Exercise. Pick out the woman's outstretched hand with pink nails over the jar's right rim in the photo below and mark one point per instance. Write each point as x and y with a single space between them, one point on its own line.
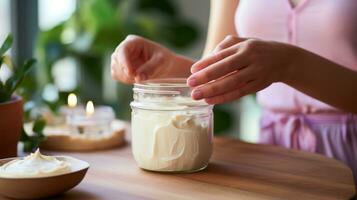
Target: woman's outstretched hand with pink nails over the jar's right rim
238 67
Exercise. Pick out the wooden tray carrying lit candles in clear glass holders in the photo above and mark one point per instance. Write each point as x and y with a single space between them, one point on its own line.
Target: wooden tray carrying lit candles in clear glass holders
85 129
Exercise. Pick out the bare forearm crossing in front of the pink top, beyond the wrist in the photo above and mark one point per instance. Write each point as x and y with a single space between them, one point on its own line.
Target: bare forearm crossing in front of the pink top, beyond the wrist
323 80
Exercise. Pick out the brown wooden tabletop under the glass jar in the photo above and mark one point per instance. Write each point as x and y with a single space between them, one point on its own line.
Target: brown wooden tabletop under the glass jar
237 171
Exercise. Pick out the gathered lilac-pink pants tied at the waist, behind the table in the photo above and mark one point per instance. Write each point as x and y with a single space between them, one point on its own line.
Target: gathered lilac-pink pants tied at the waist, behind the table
333 135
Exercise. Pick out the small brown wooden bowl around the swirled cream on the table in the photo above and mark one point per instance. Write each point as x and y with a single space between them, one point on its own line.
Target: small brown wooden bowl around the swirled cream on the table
41 187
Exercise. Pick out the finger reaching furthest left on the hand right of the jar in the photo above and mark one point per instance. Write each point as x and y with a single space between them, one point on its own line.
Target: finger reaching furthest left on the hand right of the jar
221 68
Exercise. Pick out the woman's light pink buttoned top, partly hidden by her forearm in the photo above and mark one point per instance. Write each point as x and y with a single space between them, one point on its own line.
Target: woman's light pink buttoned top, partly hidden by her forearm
325 27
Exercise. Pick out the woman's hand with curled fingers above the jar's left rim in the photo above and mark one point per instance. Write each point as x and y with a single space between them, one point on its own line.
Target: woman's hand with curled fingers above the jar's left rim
137 59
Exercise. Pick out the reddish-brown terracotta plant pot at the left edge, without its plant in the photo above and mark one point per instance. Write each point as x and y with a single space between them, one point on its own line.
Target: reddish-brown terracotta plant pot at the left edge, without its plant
11 115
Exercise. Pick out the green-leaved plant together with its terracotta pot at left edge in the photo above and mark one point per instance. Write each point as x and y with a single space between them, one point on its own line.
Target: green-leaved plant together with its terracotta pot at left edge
11 110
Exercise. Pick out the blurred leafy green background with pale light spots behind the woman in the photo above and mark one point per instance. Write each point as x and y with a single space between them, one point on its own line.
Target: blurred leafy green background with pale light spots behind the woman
72 41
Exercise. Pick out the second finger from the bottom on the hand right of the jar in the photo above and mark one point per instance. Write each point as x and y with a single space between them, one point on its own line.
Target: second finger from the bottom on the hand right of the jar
223 85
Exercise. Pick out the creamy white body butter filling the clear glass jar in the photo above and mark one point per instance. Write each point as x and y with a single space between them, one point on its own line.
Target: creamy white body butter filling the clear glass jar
169 141
